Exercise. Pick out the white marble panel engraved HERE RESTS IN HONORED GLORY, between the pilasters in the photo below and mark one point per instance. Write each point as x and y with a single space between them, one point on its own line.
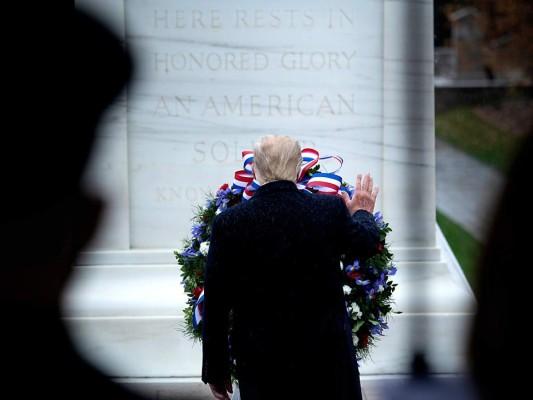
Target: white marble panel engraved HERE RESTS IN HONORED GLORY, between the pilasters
212 79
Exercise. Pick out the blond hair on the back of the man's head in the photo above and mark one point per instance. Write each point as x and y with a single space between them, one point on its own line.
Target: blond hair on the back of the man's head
277 158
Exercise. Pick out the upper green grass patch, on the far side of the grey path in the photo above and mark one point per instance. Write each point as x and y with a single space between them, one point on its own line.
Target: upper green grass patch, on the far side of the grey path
463 129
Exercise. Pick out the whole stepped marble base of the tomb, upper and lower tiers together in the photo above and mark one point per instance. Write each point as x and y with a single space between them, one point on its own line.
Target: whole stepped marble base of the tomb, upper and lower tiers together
126 319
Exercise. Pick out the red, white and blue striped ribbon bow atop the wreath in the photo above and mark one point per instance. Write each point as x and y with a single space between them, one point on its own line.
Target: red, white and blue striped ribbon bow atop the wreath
318 182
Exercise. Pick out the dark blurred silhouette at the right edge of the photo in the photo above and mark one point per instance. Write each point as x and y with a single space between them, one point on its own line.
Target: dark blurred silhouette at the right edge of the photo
499 337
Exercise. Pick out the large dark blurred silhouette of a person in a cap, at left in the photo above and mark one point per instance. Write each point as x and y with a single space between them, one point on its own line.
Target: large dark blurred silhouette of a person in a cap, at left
47 216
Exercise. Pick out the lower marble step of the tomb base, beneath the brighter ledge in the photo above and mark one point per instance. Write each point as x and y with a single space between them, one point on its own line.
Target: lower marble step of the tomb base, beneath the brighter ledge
126 347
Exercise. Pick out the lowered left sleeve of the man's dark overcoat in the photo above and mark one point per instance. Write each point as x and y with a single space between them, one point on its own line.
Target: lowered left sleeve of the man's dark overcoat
216 308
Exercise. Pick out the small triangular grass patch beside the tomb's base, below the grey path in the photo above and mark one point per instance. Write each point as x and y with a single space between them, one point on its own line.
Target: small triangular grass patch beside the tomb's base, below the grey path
465 247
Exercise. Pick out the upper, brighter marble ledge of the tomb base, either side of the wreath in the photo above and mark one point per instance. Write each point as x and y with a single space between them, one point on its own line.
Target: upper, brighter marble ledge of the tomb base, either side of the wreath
155 290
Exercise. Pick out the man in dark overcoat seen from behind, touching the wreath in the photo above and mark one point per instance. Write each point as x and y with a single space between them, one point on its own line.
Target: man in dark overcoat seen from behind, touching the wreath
274 270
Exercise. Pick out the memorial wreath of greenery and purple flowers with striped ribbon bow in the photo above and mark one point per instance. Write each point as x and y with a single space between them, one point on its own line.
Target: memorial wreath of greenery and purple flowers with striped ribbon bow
368 287
